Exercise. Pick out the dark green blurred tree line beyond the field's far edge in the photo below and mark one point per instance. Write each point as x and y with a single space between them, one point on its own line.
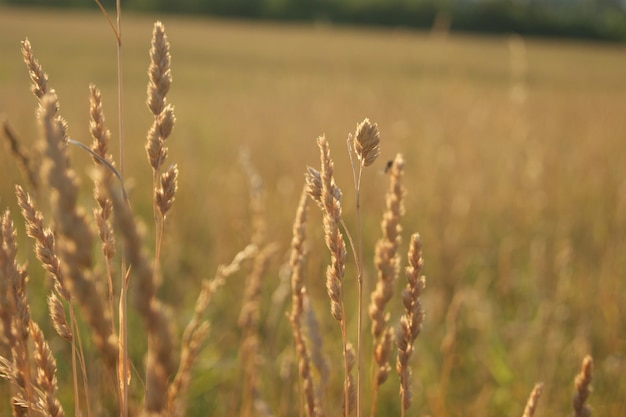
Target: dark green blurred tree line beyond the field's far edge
594 19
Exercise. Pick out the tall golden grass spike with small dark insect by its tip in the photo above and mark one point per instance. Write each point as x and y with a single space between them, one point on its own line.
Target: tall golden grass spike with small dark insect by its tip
387 263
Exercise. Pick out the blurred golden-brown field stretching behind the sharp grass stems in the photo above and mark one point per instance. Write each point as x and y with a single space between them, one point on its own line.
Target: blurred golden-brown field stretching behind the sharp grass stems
521 202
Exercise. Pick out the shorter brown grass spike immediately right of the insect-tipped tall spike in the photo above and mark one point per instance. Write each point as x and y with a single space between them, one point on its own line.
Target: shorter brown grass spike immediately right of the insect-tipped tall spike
411 321
